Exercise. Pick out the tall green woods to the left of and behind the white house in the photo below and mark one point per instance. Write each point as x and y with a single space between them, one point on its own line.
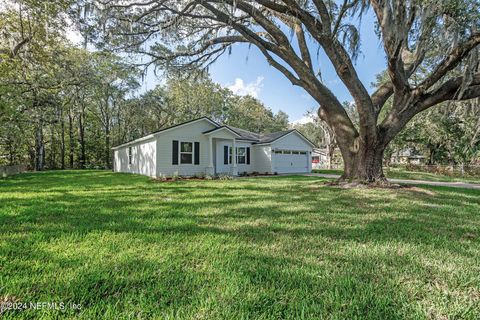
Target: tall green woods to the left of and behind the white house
62 106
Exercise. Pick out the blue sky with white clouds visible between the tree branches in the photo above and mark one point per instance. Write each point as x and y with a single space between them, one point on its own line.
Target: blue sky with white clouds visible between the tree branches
245 71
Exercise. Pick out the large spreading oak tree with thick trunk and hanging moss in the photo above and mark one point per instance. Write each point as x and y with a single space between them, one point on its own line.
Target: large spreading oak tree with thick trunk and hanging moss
439 37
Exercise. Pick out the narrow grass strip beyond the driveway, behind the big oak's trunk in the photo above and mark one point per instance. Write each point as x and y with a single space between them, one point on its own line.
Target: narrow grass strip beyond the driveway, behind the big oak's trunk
399 173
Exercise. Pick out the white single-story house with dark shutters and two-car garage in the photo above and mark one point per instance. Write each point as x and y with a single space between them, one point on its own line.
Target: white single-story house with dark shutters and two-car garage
203 146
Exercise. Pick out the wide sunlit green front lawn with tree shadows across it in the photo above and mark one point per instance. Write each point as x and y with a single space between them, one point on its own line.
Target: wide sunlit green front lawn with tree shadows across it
123 246
